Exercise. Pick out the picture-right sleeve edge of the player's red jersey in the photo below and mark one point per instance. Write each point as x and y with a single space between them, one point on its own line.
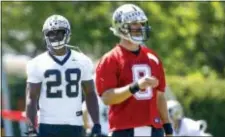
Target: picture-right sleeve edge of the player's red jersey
162 82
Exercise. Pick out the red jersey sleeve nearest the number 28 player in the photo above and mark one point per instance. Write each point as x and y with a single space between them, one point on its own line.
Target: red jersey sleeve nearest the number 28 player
106 74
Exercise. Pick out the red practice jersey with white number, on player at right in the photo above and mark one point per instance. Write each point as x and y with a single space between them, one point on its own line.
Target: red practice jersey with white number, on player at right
120 67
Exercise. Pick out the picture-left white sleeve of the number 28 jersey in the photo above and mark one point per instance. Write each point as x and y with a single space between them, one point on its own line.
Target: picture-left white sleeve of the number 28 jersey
32 72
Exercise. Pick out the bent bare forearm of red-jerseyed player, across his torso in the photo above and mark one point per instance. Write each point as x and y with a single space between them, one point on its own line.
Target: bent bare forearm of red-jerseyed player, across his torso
116 96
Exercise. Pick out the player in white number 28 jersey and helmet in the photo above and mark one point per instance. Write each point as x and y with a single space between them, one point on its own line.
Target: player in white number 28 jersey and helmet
55 81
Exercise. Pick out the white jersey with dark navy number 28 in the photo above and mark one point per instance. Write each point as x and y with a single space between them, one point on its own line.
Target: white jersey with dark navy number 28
60 99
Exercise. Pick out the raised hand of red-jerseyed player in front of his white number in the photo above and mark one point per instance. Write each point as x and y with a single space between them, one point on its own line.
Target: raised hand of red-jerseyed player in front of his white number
147 81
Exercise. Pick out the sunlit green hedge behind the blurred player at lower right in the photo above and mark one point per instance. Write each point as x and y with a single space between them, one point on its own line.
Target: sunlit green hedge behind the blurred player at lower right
202 98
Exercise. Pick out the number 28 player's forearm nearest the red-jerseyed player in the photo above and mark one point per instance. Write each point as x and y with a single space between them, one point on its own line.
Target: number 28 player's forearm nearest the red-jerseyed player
92 106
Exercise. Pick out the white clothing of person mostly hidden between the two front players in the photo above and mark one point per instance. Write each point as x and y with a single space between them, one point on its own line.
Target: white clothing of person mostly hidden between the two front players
103 112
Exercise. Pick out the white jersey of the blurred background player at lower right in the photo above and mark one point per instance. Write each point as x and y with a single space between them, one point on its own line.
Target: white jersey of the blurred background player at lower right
189 127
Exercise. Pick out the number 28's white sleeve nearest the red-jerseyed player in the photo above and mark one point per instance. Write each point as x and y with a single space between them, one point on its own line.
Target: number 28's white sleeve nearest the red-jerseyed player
88 70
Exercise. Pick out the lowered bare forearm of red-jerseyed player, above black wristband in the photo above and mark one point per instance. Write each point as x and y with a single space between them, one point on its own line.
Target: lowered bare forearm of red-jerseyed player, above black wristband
162 107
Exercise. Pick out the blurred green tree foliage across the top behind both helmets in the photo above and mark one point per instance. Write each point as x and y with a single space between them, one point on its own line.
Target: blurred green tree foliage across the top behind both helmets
186 35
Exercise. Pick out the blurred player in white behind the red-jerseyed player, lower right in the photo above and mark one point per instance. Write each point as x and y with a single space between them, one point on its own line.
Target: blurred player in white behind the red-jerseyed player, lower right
184 126
